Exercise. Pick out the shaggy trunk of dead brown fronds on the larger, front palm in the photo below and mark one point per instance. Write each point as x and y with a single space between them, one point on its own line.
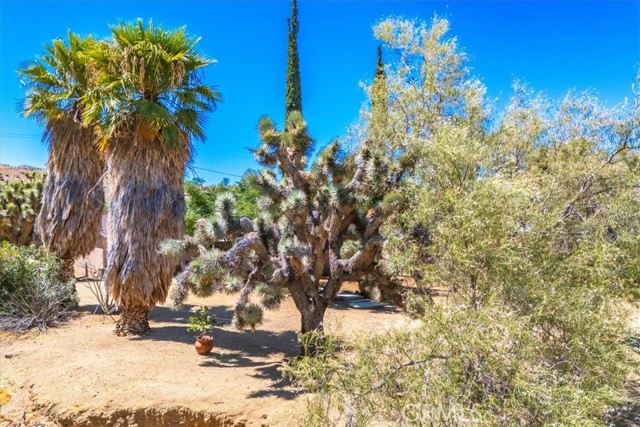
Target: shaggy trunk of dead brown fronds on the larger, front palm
146 206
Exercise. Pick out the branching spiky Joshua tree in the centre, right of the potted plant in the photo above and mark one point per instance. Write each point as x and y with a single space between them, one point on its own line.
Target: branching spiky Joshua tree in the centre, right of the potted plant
314 222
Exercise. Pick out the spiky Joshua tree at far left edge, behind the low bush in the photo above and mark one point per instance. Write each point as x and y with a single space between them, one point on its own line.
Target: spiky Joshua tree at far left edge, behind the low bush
19 205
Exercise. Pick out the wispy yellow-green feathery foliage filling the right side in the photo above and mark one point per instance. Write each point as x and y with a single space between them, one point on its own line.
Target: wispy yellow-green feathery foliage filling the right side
528 221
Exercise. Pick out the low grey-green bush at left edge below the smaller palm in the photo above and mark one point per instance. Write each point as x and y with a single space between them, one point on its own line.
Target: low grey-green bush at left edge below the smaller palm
32 294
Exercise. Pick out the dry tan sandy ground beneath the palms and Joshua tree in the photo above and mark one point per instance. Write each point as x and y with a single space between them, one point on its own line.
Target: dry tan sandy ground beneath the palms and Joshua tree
80 374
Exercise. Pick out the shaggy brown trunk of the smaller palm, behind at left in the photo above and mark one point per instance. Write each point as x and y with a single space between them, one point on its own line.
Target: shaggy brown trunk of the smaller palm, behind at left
73 196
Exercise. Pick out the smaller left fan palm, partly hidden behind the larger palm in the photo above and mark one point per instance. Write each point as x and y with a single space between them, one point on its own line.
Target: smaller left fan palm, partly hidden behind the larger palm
73 196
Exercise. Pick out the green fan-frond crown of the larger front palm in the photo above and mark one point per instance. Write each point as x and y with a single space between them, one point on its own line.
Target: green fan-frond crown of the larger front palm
149 83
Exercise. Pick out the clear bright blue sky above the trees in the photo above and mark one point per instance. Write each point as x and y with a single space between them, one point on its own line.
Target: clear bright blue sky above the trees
554 46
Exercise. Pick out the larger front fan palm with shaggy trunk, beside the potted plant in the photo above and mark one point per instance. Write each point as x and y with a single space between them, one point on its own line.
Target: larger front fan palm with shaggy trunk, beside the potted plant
150 109
